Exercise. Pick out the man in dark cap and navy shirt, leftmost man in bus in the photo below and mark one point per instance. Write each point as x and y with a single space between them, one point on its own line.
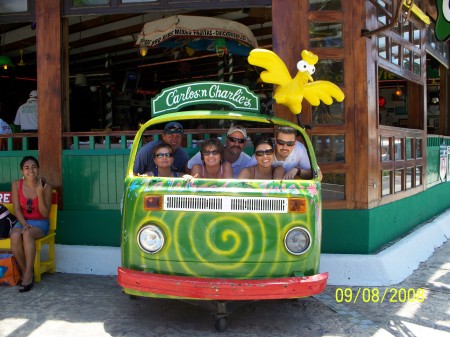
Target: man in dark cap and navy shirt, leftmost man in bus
172 135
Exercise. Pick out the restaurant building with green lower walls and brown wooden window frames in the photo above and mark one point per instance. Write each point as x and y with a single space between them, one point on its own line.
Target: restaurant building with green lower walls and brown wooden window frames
382 151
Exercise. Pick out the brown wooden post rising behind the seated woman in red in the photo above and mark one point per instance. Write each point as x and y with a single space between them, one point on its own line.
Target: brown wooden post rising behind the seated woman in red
49 84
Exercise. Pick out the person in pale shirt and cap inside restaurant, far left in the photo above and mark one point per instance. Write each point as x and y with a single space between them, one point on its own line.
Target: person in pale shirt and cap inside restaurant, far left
27 117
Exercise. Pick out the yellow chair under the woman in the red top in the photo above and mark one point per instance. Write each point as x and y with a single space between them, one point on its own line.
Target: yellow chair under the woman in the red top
40 266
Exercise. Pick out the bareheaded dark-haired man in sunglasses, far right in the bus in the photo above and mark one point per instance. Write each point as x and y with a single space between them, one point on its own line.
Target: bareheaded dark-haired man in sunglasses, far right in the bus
291 154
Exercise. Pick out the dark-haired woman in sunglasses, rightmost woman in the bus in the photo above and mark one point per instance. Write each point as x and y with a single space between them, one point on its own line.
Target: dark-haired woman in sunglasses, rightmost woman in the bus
264 154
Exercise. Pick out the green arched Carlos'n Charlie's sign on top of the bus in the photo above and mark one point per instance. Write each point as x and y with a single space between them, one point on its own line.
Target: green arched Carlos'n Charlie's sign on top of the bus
172 99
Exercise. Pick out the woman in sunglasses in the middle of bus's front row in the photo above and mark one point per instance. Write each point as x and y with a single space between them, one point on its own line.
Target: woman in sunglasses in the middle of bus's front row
213 163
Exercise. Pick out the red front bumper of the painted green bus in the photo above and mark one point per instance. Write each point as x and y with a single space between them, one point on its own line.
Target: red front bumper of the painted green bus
221 288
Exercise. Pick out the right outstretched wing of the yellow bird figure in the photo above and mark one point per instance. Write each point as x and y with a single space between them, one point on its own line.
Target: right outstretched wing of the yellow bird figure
324 91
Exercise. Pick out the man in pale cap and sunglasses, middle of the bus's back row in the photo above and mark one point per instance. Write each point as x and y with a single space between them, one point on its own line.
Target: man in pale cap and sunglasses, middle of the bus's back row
234 146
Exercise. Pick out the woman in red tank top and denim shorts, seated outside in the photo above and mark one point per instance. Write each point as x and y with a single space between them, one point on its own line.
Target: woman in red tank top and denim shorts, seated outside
32 200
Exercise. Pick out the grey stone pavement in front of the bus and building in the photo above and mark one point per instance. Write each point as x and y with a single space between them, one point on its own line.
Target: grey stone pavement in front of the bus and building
87 305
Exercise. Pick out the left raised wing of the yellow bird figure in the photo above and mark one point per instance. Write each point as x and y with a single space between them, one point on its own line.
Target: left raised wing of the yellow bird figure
276 71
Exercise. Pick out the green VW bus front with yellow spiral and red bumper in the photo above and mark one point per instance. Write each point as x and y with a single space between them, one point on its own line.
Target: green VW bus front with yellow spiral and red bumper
220 239
